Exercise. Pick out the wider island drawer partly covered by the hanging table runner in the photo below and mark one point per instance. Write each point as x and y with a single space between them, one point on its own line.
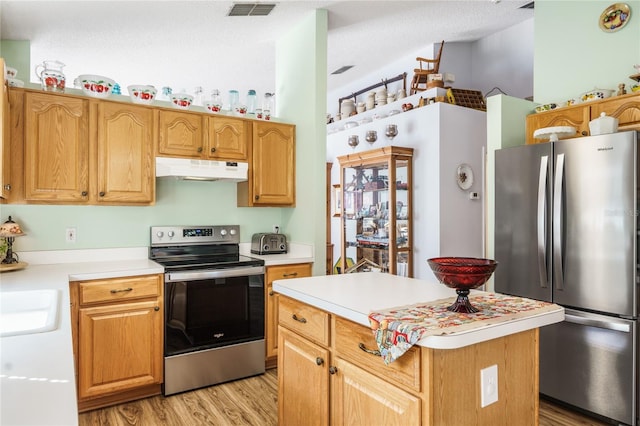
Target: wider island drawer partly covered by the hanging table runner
352 341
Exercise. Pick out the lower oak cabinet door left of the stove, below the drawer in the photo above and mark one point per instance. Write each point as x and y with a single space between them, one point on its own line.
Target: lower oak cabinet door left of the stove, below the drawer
120 347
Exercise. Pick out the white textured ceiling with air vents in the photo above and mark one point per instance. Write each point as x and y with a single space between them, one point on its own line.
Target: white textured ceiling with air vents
193 43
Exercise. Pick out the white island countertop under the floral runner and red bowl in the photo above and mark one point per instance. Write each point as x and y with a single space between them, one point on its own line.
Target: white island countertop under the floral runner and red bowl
354 296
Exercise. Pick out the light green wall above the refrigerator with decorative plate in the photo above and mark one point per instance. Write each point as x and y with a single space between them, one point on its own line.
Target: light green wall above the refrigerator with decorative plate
572 55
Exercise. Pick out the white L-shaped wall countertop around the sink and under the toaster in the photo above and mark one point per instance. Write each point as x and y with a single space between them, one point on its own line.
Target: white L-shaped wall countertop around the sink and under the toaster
37 377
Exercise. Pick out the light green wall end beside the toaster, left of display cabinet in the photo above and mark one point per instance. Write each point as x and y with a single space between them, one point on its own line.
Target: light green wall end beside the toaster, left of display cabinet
301 87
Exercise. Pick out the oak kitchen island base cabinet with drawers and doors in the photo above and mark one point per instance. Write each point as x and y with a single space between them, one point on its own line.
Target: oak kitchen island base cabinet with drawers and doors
330 373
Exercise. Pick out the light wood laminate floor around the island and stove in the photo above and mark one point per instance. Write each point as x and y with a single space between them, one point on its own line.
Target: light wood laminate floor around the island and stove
247 402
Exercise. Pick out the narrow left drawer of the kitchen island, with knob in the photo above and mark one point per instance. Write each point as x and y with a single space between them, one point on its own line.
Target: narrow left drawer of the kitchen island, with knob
305 320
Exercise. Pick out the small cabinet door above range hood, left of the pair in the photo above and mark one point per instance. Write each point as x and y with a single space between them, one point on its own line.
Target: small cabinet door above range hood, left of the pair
180 134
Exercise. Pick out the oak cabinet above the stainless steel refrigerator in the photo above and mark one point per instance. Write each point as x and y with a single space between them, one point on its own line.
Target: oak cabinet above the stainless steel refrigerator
626 108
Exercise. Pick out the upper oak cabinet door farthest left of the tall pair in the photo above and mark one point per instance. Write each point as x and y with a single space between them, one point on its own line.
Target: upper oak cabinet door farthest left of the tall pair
56 148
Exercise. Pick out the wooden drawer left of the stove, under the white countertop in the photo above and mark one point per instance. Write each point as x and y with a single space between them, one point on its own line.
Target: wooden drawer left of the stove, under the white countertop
117 289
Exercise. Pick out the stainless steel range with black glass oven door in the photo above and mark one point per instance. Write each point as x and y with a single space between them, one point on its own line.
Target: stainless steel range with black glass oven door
214 306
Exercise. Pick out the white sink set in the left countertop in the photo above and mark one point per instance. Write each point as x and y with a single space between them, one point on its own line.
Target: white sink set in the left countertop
27 312
